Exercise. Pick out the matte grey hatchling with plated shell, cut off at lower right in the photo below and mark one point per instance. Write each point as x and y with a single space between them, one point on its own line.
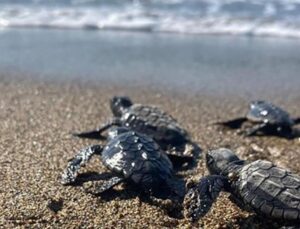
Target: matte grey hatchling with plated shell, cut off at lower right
259 186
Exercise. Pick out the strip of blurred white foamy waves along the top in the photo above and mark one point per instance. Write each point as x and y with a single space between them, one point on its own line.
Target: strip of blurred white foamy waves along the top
237 17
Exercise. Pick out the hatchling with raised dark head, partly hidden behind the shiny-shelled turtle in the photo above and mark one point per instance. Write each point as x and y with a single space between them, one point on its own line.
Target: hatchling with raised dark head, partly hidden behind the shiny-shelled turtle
153 122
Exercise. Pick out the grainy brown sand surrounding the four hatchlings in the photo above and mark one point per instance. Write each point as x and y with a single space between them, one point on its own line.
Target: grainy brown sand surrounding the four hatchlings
35 145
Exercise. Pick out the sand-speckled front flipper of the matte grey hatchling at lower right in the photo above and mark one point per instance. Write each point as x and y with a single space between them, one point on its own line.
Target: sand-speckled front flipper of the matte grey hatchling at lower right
202 195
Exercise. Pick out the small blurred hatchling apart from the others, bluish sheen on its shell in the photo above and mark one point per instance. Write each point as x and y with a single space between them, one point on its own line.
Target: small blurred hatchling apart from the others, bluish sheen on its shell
267 119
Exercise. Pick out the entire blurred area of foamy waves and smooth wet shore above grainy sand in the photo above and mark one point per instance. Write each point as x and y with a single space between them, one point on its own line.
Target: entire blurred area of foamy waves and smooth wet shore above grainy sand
249 47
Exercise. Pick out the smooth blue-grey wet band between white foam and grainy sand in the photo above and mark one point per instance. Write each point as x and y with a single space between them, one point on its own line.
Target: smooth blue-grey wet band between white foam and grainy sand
253 68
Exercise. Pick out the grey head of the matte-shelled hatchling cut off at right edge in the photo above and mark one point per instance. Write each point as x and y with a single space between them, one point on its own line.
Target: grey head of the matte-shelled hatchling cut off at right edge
218 160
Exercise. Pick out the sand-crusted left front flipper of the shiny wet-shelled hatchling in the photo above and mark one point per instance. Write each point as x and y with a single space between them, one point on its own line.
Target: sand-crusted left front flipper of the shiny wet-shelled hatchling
70 173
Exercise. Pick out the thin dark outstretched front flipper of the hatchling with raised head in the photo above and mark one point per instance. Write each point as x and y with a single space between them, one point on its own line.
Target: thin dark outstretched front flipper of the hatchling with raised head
96 134
